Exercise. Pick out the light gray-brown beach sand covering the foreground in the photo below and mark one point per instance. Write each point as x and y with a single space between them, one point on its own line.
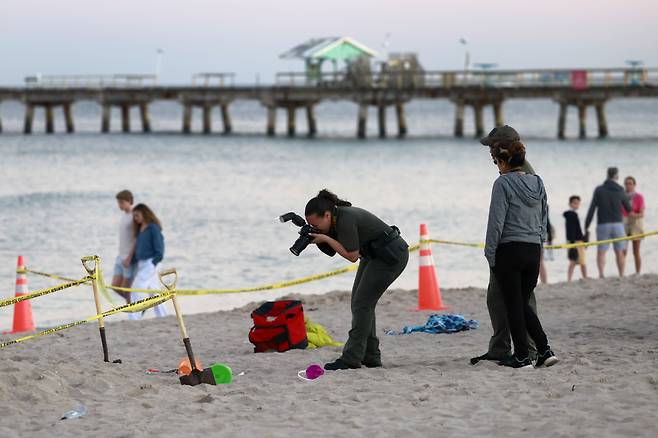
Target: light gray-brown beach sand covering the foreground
604 332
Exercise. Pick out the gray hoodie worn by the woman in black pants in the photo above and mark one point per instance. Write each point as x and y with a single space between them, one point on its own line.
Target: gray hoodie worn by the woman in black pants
518 212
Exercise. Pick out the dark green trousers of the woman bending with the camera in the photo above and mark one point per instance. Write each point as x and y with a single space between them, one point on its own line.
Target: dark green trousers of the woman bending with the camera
372 280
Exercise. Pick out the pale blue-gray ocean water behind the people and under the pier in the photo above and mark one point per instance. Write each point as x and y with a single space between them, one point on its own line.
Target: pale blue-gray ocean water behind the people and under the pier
219 196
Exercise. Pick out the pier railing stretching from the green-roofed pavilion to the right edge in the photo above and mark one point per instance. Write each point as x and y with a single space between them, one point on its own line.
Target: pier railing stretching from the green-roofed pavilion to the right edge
575 78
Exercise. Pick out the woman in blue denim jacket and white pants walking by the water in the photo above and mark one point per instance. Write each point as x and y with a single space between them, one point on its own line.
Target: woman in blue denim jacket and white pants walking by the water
149 251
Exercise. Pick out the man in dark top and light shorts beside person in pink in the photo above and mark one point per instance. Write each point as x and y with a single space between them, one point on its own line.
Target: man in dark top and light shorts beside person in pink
608 199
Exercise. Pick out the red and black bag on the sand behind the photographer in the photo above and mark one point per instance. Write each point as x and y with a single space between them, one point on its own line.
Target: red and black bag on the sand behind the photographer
279 326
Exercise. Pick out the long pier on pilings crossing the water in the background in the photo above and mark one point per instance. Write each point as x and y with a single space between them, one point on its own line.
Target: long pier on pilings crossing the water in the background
582 89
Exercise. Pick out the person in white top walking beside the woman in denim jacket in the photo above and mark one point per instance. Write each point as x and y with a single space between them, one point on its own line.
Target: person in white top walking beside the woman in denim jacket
124 268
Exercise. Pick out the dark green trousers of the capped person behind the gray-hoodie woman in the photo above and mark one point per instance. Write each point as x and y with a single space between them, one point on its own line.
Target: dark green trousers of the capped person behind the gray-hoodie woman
500 344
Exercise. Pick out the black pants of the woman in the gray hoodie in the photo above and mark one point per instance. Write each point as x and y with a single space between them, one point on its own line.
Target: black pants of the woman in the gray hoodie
517 269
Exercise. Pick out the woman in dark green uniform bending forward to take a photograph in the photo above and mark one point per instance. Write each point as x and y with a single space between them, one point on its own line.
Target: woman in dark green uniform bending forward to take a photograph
355 233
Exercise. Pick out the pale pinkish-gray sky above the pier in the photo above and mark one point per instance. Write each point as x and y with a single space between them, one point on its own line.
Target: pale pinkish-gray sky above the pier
246 37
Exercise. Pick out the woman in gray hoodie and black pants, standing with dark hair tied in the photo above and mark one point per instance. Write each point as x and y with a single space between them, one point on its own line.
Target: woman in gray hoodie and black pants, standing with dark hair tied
515 232
